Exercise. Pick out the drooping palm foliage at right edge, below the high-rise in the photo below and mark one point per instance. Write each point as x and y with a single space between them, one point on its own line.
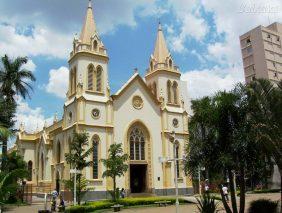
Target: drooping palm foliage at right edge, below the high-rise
266 102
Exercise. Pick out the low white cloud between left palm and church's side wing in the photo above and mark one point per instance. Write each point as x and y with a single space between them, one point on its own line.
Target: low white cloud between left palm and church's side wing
32 118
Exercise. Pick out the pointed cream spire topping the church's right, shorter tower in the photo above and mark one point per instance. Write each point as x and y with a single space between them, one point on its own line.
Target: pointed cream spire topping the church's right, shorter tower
161 51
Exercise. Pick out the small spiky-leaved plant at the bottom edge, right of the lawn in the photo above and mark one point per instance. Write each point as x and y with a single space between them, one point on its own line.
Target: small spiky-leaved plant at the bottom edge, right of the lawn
207 204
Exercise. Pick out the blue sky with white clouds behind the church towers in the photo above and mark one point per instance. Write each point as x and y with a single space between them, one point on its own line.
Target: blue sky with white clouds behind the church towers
202 35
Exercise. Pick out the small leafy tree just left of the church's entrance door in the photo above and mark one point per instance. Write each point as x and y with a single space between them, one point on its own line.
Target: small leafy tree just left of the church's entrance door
115 165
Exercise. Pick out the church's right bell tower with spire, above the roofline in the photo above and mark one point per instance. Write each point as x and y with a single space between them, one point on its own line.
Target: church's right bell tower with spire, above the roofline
163 76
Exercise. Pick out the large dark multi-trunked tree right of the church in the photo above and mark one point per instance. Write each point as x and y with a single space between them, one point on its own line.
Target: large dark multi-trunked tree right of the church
222 140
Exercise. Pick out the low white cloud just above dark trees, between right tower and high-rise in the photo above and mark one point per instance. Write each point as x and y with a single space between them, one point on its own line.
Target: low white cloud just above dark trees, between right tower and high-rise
208 81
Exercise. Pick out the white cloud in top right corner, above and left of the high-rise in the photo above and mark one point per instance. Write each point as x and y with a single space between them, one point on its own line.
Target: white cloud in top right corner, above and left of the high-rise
234 18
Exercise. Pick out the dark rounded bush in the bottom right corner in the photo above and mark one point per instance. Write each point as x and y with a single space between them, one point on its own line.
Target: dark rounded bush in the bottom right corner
262 206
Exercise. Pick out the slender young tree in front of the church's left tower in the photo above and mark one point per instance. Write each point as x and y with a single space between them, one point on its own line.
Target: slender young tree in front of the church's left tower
77 157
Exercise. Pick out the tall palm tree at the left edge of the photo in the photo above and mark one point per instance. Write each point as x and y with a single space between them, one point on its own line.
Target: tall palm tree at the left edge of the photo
14 80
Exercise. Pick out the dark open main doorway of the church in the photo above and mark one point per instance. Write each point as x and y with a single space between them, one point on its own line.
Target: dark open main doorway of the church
138 178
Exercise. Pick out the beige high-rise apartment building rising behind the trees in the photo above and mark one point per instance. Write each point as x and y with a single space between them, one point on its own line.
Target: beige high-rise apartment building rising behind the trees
262 53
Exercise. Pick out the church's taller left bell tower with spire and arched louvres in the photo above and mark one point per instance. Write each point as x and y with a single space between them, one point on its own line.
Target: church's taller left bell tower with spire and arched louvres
88 63
